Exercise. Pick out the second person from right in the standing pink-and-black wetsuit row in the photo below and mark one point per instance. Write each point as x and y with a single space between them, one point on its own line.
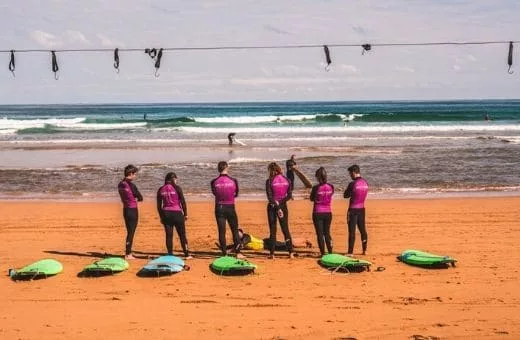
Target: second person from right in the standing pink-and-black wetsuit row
321 195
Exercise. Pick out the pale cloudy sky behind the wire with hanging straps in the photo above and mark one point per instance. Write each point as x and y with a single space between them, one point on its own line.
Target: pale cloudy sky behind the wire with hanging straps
385 73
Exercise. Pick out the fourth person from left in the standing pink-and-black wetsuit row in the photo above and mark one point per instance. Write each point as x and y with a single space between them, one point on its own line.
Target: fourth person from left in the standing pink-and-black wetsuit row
279 190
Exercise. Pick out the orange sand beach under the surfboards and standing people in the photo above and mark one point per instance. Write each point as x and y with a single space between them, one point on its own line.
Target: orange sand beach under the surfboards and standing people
284 299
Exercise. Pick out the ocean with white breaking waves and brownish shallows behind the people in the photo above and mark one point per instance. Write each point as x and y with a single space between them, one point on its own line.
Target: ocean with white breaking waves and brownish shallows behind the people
404 149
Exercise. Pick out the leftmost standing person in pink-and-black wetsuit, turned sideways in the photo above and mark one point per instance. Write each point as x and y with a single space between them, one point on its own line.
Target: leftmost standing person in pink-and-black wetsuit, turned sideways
129 196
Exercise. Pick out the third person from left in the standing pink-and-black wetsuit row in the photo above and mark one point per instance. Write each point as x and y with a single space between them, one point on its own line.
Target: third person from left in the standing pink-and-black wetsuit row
225 189
